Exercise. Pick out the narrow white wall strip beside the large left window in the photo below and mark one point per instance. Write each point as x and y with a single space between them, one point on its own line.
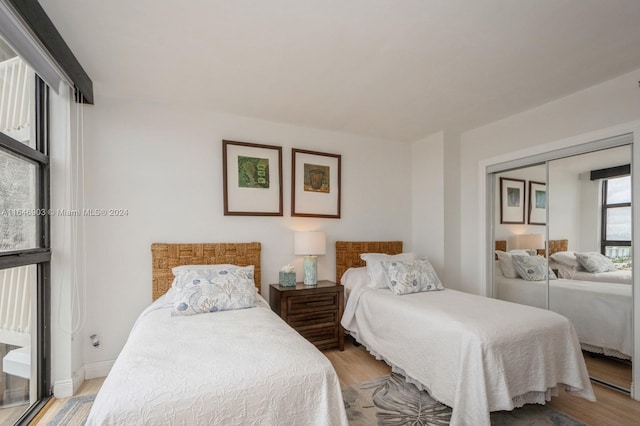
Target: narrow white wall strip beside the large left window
67 316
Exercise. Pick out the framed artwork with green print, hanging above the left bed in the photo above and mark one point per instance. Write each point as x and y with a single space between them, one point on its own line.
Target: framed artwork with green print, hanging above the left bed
252 179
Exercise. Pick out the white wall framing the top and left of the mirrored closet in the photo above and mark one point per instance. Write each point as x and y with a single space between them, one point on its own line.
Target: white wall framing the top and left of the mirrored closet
550 126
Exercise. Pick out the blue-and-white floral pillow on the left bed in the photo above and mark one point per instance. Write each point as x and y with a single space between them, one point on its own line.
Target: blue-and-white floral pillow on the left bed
225 291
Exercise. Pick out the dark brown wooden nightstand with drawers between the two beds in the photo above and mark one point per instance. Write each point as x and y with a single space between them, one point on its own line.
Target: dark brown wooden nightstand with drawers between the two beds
313 311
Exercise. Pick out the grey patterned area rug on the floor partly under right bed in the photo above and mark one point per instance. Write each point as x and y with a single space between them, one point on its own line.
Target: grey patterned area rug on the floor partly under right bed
390 400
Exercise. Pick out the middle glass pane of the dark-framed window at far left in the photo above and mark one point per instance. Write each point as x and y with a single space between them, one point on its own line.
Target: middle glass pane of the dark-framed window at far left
18 213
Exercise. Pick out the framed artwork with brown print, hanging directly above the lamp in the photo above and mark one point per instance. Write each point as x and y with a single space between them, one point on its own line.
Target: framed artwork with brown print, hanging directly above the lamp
315 184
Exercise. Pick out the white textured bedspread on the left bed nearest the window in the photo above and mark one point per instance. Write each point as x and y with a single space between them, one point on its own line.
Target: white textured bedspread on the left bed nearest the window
243 367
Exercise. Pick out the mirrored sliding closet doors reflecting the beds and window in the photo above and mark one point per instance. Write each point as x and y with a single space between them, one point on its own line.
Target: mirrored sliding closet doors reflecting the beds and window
589 206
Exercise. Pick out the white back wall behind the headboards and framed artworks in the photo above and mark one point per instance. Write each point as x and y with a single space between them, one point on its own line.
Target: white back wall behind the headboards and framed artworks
163 165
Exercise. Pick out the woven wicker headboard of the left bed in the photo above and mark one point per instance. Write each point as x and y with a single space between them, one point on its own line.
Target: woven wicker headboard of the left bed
166 256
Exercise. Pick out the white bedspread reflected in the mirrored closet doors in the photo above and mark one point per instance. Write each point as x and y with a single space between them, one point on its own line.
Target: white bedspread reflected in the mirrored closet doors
602 313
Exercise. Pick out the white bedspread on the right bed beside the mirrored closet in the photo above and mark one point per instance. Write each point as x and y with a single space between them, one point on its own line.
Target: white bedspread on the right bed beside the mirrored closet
473 353
